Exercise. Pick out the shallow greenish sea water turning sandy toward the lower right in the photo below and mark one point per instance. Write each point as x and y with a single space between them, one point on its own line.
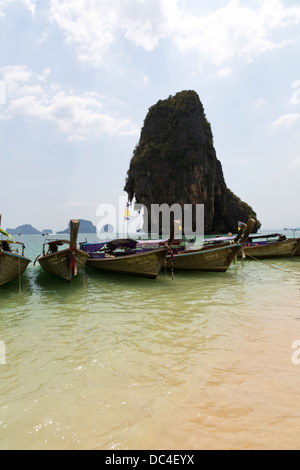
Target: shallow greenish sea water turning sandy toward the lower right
114 362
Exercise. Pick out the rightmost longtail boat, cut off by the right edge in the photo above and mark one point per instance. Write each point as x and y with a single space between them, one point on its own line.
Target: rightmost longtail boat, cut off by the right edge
272 245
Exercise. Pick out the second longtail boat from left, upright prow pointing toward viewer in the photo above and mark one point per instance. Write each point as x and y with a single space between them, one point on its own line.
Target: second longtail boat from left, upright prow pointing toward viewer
65 263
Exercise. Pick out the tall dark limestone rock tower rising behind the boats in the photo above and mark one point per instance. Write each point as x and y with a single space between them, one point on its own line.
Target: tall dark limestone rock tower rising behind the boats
175 162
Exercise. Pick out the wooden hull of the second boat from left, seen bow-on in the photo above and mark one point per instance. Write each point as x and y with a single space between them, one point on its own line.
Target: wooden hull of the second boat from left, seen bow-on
60 263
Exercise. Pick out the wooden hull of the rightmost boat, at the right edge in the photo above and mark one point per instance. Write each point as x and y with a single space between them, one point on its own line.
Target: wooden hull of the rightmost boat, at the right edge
280 249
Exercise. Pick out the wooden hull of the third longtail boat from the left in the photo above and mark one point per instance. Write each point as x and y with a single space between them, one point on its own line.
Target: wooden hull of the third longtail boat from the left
145 264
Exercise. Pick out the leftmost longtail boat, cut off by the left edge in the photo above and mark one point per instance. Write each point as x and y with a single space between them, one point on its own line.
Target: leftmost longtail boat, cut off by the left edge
12 264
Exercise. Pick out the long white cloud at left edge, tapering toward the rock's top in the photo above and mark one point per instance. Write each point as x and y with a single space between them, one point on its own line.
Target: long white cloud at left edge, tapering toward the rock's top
79 117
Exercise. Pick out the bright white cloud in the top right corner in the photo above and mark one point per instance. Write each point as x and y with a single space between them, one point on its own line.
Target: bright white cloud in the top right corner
235 31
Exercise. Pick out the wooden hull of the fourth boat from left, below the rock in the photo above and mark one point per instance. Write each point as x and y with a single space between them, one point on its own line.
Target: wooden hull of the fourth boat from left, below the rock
214 260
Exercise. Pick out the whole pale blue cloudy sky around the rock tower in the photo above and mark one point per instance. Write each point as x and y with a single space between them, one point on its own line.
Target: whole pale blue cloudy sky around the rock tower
77 78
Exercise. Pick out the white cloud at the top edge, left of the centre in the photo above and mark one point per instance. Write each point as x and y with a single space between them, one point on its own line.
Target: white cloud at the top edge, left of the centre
93 25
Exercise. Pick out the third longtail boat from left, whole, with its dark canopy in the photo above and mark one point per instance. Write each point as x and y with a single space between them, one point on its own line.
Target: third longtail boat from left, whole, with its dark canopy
125 256
